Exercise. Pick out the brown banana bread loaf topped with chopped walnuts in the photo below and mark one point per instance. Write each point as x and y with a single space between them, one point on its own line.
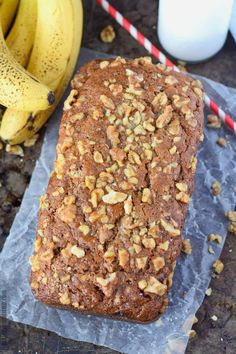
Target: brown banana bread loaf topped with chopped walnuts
109 227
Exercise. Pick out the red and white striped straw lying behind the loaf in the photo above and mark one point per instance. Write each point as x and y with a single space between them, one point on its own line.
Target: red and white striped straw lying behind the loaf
152 49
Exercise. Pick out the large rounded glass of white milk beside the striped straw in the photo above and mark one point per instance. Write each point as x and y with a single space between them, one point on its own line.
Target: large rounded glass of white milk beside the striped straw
193 30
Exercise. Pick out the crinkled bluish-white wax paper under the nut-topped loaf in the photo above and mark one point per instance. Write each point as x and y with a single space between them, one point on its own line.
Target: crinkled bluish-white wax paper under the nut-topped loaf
193 272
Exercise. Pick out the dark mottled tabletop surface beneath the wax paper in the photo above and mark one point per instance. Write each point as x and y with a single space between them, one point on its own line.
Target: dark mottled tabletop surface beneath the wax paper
212 337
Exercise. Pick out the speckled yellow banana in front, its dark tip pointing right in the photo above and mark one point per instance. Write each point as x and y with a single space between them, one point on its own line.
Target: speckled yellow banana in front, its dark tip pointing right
20 89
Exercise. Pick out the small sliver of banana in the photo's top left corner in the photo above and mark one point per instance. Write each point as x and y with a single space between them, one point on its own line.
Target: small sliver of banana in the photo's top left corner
7 13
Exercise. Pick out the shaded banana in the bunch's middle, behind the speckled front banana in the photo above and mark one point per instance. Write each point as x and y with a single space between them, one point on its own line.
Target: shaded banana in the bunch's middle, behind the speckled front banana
21 36
